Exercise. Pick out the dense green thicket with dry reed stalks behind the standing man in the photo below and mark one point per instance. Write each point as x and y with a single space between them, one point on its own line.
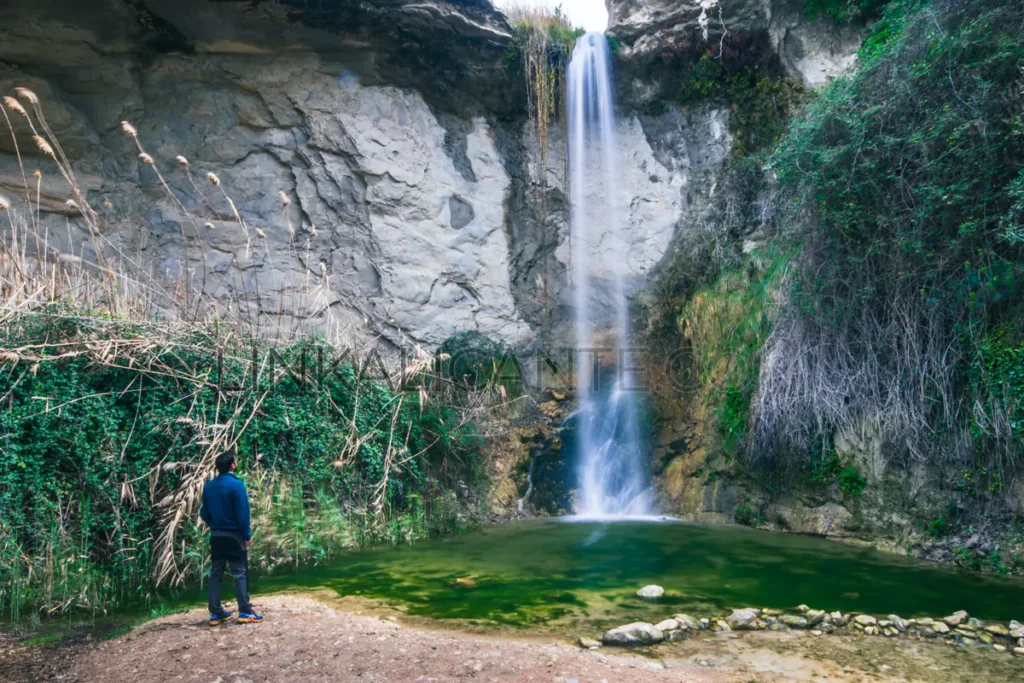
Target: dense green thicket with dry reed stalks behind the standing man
109 429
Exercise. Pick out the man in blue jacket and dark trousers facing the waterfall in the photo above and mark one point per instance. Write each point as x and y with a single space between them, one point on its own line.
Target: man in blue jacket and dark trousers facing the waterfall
226 511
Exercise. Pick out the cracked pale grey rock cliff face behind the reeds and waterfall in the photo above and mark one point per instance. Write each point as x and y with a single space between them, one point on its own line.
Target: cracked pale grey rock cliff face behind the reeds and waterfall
393 133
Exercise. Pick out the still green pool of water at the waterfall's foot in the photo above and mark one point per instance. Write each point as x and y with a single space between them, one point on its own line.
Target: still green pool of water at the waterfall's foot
557 574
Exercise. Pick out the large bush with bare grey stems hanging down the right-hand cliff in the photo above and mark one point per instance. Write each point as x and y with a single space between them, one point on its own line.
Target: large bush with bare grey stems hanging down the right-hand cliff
903 186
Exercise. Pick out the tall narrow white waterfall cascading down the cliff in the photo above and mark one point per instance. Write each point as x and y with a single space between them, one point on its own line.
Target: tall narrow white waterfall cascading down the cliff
612 473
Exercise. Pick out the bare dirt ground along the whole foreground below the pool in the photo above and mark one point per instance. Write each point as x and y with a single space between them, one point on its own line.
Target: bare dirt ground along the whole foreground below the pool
306 639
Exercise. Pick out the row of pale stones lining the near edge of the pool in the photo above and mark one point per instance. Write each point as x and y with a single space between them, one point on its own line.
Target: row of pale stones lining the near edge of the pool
958 628
